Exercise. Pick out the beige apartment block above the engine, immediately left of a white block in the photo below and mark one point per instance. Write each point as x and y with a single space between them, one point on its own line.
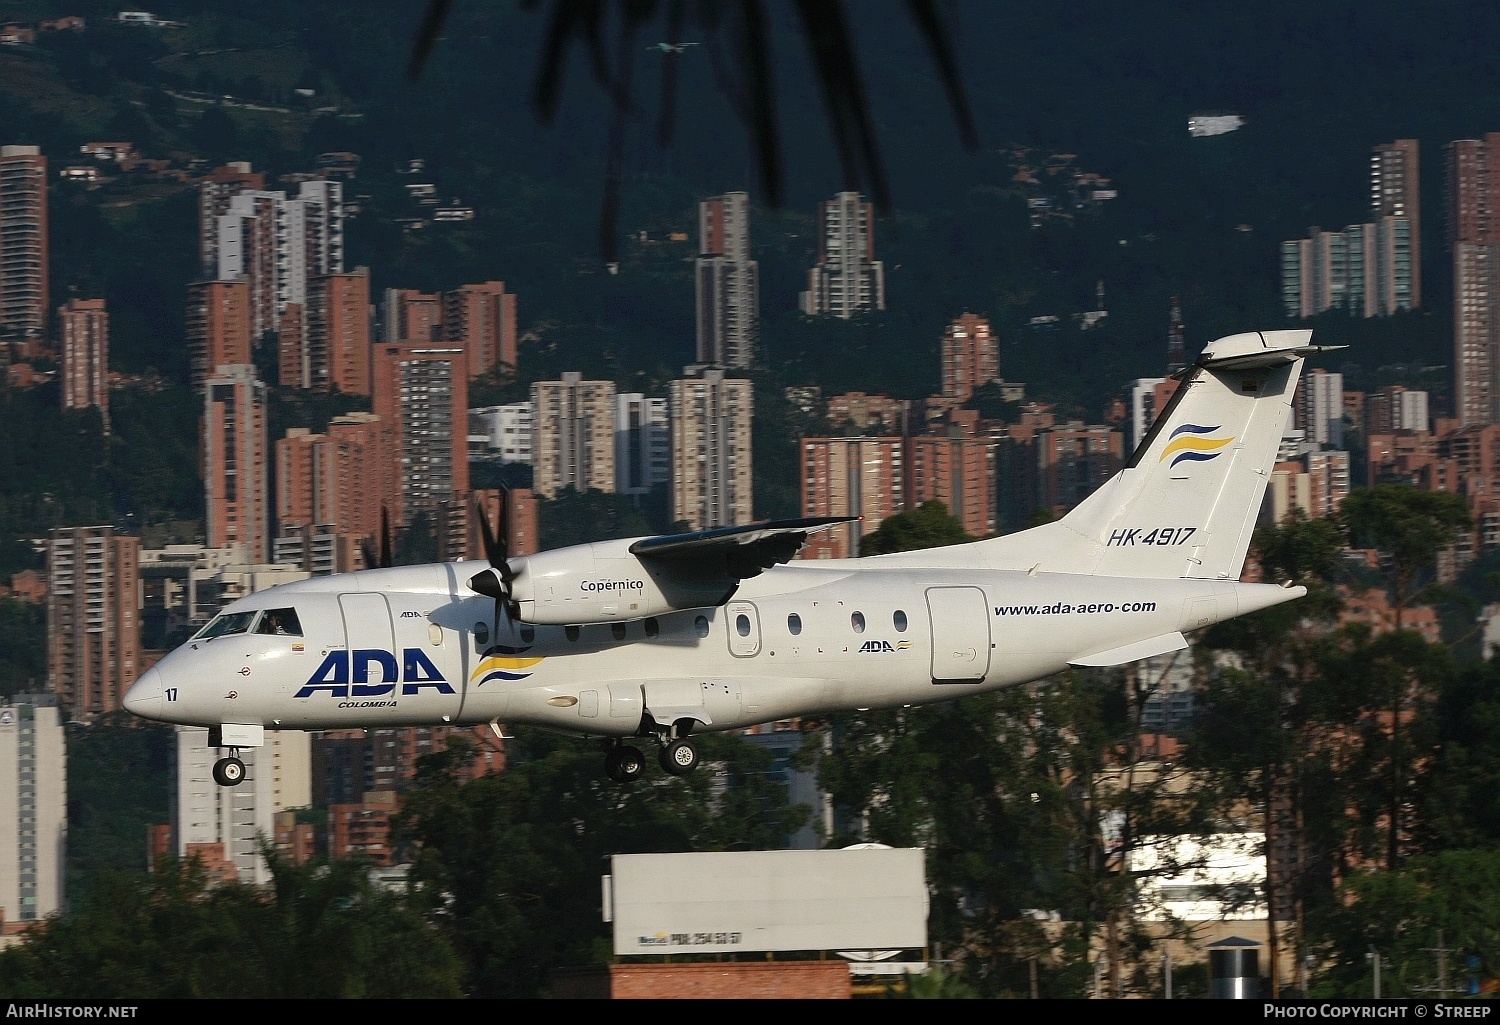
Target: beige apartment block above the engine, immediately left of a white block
574 436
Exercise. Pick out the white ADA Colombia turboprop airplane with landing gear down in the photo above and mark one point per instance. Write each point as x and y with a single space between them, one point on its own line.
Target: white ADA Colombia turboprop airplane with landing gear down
670 637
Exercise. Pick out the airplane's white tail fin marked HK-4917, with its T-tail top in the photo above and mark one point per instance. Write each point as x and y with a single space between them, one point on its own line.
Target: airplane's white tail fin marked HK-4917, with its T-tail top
1187 502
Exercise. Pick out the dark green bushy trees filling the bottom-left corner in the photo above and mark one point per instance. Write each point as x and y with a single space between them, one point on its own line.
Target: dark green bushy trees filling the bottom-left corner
320 933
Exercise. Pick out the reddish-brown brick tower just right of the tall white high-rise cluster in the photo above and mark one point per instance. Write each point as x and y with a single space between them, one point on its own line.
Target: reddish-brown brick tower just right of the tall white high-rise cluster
335 350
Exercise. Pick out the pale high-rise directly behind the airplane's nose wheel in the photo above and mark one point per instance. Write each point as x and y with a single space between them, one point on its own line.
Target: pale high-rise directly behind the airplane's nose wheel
277 778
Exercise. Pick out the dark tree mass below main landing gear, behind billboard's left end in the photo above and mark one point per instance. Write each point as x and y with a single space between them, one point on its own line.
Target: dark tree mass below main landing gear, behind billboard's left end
511 864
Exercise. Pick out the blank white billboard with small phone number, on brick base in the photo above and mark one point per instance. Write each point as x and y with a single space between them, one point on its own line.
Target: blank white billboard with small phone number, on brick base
865 898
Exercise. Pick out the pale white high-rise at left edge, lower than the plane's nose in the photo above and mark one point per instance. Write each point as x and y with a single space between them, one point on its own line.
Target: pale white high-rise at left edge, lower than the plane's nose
34 808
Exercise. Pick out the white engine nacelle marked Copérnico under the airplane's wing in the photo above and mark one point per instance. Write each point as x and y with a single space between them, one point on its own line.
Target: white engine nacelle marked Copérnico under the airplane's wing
604 583
